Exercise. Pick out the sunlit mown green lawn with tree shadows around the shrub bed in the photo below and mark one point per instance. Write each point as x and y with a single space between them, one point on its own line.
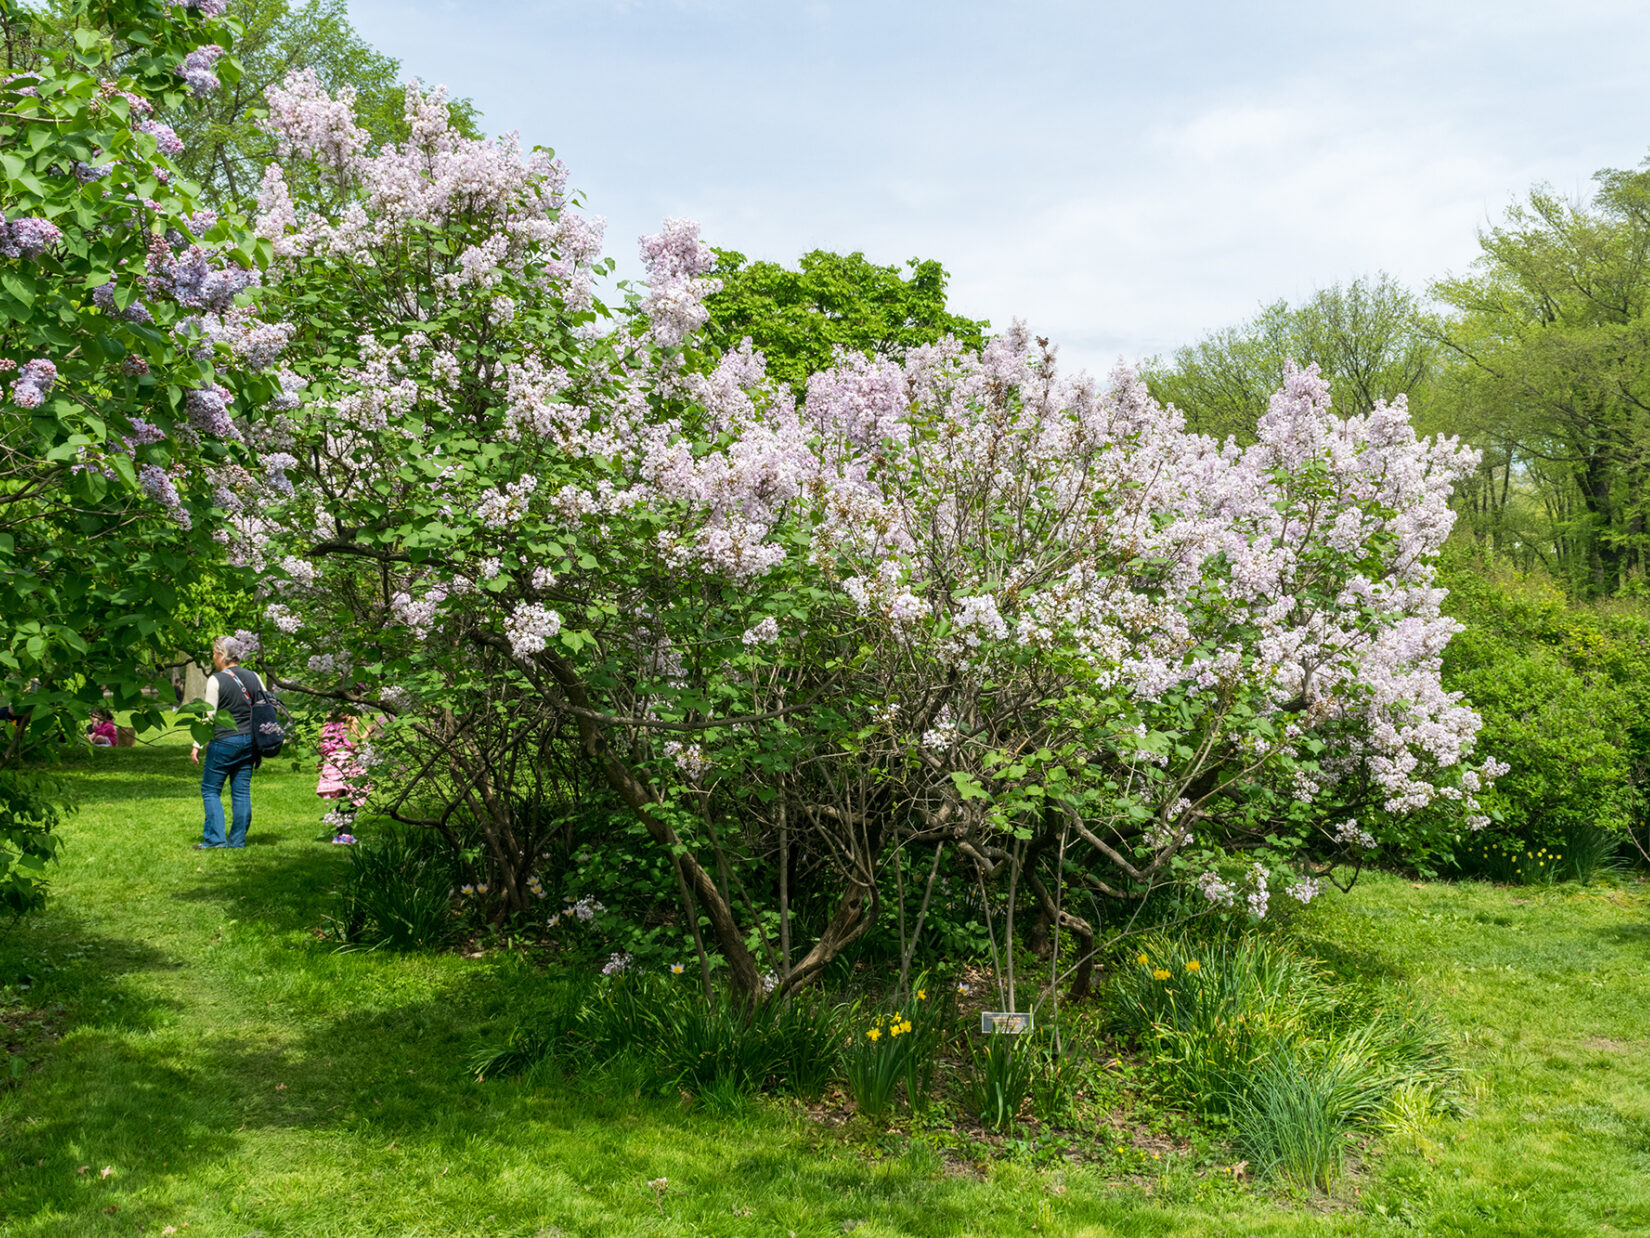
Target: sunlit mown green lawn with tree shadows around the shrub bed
197 1057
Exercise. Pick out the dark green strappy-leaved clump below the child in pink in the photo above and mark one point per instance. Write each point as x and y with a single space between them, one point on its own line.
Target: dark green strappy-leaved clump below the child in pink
398 894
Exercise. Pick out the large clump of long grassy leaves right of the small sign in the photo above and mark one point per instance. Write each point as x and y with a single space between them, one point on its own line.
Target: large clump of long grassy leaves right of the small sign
1245 1028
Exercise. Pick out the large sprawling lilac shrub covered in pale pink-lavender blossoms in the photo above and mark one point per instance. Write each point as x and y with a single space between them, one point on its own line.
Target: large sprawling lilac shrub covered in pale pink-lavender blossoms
951 600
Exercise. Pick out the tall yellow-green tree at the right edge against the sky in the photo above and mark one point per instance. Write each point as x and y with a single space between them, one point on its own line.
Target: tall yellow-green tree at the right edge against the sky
1552 339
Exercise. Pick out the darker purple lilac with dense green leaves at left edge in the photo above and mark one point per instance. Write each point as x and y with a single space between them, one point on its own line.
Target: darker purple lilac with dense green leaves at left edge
130 420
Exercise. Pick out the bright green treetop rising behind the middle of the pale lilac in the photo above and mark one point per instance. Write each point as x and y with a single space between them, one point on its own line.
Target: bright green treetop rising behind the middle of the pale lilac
799 318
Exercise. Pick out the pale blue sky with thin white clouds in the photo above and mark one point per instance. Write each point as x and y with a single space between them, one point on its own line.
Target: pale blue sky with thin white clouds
1123 177
